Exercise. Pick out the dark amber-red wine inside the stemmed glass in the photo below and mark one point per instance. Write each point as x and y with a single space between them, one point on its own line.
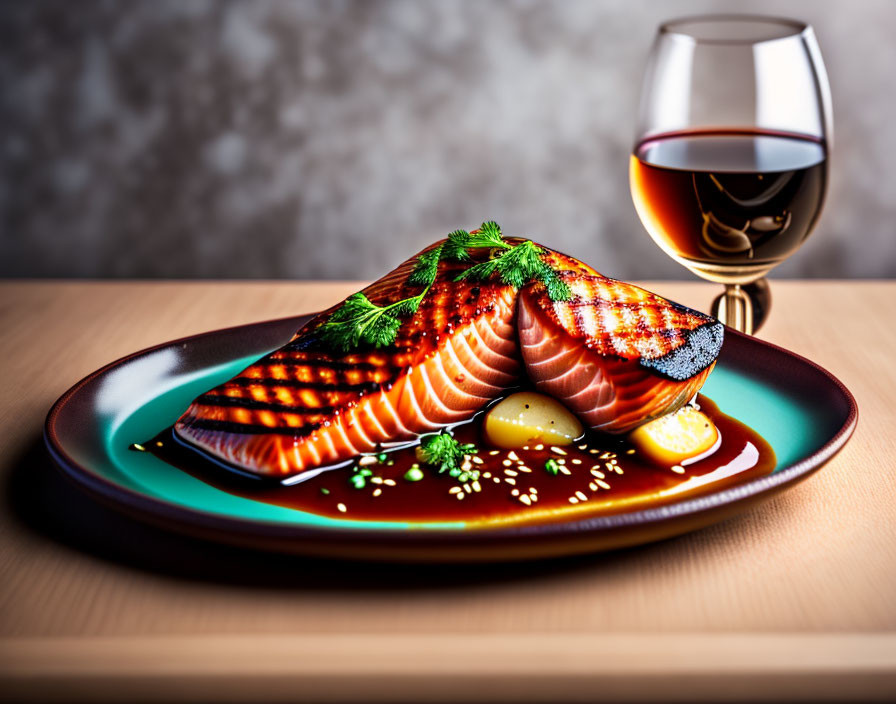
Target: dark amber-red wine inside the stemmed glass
729 204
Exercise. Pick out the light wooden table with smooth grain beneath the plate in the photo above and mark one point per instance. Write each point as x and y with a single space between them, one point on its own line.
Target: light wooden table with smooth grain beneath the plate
794 599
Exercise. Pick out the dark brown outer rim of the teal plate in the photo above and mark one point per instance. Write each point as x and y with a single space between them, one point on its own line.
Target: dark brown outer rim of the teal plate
162 512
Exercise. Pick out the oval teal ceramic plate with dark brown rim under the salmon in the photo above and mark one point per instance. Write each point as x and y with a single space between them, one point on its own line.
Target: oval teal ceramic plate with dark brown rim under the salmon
800 409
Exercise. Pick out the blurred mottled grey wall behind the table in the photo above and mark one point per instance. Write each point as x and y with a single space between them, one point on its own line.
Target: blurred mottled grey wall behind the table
306 139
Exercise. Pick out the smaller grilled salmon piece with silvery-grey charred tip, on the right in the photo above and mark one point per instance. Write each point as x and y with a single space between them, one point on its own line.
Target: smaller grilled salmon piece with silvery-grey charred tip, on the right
615 354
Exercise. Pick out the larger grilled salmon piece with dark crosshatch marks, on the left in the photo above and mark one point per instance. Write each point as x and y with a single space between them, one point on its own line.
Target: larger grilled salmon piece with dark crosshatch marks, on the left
304 407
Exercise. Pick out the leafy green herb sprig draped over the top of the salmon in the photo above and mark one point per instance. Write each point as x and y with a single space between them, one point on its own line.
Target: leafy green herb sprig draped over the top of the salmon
360 321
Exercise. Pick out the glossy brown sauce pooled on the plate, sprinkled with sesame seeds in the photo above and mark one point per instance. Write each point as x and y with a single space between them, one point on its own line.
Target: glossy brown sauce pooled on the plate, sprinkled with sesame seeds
598 475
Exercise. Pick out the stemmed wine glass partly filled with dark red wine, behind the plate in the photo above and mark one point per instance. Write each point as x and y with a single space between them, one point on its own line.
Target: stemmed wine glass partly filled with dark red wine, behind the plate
729 169
